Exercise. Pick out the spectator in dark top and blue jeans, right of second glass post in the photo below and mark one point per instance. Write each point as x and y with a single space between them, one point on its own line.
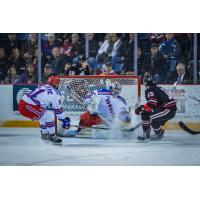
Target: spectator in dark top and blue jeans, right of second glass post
93 51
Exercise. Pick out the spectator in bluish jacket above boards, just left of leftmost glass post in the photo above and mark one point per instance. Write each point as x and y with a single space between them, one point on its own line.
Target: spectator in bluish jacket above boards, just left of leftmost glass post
29 76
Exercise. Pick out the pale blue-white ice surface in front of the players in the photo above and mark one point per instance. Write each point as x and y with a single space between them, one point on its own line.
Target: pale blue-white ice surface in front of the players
23 147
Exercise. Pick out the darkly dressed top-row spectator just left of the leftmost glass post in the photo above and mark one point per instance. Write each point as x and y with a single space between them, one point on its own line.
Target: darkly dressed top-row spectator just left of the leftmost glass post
29 48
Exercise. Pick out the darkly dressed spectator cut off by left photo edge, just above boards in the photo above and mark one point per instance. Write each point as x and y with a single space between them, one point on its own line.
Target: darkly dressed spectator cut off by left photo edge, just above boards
3 64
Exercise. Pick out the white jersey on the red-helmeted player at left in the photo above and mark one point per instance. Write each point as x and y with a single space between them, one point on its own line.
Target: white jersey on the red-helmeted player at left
46 96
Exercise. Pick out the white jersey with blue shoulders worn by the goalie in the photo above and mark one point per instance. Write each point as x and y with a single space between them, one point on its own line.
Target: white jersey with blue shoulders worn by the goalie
109 105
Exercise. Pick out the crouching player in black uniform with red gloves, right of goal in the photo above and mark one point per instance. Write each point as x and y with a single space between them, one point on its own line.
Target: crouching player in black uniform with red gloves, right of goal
160 108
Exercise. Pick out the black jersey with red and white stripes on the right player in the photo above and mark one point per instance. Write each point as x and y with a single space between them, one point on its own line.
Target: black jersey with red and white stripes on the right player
157 97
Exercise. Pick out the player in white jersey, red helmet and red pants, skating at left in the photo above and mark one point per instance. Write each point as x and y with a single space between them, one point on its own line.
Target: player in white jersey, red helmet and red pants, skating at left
41 104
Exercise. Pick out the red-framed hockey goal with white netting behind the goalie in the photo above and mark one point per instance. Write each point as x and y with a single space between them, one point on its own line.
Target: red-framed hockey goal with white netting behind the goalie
74 89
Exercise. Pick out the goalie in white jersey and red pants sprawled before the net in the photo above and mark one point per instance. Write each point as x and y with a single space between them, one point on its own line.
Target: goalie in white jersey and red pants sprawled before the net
104 107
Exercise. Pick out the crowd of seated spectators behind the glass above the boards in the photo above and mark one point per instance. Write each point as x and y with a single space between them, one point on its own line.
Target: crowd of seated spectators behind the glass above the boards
109 54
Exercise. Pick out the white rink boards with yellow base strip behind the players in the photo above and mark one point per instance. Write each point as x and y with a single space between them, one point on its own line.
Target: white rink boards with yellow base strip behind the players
188 109
